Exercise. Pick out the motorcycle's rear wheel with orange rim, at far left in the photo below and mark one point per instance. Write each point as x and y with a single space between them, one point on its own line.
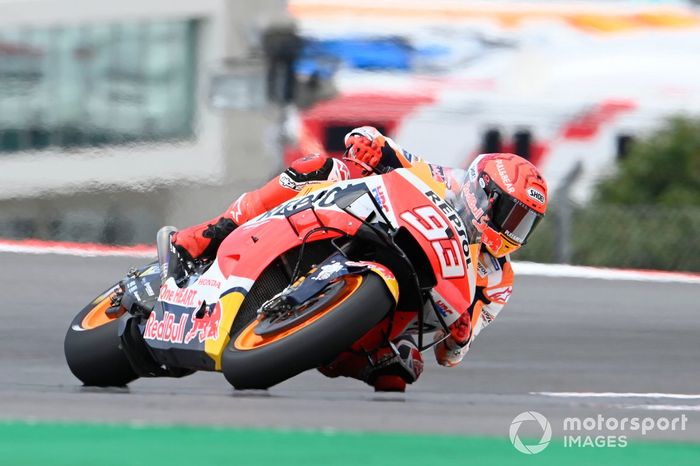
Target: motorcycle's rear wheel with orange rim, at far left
93 347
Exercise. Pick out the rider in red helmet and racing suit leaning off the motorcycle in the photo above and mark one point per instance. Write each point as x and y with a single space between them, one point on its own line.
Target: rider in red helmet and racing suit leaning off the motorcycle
516 199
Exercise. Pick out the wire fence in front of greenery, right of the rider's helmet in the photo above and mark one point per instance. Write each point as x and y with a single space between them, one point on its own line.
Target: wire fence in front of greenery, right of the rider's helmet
634 236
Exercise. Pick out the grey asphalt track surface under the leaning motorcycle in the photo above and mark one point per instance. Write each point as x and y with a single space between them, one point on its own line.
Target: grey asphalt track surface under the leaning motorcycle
556 335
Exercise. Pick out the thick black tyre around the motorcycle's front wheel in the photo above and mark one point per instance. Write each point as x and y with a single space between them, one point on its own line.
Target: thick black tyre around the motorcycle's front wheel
310 344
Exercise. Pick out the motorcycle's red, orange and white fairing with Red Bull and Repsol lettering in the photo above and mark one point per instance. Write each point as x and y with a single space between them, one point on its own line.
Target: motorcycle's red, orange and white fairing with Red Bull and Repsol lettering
190 326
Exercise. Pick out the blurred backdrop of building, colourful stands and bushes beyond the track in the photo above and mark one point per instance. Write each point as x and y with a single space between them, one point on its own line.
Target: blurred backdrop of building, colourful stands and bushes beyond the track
119 117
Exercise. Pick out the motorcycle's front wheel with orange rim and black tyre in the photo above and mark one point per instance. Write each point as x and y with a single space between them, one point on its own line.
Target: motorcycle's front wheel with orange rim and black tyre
285 346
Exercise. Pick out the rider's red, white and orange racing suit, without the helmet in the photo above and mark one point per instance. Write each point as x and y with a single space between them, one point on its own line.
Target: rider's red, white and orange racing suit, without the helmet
392 367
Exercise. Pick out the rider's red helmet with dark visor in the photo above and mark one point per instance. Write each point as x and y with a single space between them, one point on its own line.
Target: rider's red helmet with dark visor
506 197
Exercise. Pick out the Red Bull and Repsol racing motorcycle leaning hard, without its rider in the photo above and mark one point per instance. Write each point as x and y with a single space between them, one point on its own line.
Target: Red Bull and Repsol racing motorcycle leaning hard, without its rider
344 266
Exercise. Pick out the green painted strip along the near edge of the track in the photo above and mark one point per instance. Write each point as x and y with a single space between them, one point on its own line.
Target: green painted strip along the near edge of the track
42 444
